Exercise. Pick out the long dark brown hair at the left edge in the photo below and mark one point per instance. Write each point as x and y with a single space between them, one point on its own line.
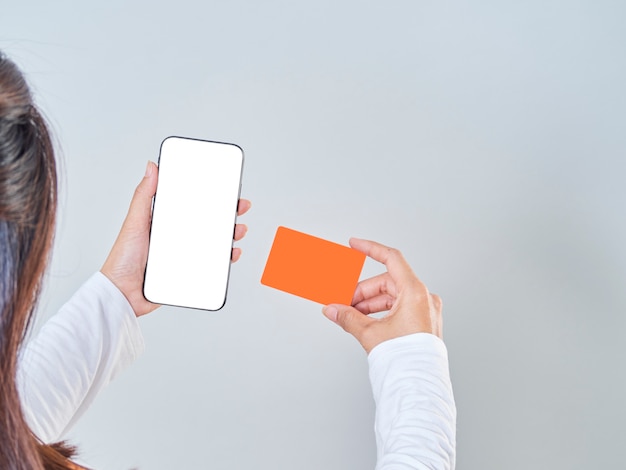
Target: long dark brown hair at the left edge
28 201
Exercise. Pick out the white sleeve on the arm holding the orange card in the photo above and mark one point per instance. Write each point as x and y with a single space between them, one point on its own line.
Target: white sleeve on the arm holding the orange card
415 410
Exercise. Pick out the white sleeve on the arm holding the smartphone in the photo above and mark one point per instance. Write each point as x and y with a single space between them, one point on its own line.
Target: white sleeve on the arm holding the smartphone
75 355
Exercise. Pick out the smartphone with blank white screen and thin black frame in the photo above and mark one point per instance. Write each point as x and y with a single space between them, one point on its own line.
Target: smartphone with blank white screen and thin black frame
193 221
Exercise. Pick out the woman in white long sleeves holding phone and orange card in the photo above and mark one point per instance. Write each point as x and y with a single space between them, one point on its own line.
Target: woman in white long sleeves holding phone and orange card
96 334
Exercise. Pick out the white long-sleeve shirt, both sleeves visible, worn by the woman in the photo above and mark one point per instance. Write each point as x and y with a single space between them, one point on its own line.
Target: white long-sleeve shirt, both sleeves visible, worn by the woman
96 335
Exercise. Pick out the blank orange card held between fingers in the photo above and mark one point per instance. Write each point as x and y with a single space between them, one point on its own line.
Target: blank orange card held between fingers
312 268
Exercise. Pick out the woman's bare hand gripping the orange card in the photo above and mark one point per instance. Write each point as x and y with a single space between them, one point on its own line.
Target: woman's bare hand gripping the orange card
412 308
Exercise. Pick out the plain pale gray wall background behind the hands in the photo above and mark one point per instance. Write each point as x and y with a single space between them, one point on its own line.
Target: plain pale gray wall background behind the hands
485 139
